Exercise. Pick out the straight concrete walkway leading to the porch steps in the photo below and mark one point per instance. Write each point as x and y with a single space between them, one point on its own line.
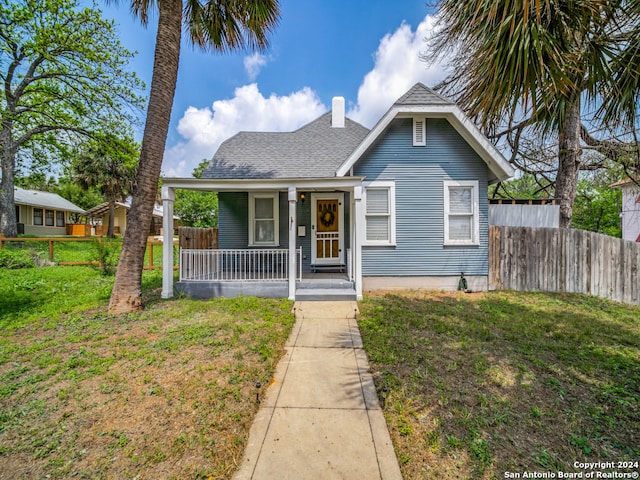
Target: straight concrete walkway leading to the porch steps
320 417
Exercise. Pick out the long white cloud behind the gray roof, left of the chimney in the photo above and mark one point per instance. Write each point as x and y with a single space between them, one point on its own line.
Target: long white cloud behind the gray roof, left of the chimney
204 129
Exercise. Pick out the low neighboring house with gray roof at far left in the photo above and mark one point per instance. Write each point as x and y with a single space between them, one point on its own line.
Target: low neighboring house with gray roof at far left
43 213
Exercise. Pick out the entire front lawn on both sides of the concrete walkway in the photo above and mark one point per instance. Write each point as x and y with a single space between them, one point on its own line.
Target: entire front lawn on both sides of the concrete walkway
477 385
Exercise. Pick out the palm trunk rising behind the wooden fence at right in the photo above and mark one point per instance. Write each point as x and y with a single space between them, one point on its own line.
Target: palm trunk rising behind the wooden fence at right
569 153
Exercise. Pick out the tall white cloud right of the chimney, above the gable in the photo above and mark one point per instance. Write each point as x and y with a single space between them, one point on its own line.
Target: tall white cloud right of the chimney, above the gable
397 68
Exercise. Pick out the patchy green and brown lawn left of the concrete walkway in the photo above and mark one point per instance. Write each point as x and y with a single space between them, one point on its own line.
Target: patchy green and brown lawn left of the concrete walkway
165 393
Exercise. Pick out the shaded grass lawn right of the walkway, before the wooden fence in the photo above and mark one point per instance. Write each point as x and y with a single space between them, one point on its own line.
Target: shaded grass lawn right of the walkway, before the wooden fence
484 384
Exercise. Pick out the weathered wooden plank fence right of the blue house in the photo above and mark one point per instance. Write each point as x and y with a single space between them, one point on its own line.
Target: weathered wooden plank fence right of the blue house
563 260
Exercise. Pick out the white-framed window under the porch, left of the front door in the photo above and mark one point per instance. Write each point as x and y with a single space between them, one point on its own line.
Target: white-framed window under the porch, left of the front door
263 219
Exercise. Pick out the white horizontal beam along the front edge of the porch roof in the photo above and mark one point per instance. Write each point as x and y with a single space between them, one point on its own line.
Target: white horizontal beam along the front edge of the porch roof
235 185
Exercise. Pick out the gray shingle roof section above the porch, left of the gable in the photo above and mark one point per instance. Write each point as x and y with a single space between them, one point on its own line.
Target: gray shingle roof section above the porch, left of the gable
315 150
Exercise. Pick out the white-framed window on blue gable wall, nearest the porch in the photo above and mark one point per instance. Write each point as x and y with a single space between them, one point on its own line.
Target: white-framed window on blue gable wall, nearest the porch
379 210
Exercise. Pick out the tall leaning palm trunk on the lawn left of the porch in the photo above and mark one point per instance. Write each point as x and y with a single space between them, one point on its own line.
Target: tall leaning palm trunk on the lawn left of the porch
126 295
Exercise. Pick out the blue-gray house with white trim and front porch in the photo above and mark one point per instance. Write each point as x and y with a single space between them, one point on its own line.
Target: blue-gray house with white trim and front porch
400 206
